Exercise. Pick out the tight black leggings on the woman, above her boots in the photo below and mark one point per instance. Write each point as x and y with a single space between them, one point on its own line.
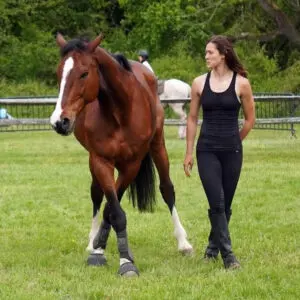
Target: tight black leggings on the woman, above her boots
219 172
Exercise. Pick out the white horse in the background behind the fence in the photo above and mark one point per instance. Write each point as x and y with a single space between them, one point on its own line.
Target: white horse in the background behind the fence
176 89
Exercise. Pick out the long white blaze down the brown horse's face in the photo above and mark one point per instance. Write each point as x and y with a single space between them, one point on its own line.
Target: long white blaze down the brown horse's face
68 66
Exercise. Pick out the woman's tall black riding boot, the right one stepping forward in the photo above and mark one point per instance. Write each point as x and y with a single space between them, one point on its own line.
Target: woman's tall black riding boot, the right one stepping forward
221 239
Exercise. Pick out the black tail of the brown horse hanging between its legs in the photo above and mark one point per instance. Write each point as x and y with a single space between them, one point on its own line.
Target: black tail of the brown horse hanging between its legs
142 190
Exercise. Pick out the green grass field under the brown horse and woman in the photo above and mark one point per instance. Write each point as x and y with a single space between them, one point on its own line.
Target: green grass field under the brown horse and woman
45 215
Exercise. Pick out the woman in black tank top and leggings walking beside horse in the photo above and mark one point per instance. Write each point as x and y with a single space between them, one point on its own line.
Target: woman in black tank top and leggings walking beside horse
221 92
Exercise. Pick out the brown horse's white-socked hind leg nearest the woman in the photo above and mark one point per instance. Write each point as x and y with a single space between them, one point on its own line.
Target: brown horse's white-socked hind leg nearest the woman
160 157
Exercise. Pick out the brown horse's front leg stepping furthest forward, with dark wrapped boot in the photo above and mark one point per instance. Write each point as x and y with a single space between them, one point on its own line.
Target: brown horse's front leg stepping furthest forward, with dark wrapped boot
114 215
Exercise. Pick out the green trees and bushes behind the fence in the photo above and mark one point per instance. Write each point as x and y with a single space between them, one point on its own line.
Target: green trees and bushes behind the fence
265 33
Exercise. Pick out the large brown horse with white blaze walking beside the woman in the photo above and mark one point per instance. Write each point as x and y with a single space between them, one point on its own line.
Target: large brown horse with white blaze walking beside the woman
112 107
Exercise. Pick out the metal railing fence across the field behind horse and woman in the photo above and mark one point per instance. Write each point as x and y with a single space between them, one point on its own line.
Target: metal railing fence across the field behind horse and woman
273 112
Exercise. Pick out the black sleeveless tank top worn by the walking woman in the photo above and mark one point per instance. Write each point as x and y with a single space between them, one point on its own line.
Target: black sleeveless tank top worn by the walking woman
220 128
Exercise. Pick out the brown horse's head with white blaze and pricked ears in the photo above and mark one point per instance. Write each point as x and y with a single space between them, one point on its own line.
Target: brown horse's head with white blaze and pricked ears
78 78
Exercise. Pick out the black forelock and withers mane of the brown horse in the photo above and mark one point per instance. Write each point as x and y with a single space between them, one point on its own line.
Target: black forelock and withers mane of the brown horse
80 44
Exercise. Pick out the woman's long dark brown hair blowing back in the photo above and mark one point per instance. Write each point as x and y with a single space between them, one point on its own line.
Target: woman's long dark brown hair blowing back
225 47
